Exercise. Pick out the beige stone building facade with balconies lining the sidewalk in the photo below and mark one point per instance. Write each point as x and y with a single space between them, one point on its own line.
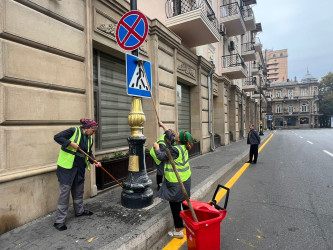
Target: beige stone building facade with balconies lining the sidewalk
60 62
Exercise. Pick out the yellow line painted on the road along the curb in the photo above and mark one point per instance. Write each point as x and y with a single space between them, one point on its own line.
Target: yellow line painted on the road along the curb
177 243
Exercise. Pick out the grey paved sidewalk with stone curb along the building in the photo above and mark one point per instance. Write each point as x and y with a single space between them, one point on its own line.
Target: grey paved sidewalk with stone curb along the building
114 227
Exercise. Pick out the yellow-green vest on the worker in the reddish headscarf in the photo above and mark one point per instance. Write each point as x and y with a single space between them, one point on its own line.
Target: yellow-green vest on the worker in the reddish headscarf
67 155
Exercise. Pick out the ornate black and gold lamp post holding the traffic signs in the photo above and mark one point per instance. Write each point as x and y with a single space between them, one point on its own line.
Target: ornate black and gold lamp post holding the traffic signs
137 192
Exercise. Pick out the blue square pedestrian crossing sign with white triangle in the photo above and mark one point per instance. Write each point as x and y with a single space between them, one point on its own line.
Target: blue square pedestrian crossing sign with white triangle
137 75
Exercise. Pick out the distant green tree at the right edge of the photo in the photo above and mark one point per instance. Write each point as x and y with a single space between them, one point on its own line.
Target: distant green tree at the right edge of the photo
326 92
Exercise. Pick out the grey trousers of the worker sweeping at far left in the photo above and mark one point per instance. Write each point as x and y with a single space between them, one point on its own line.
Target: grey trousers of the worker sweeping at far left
63 200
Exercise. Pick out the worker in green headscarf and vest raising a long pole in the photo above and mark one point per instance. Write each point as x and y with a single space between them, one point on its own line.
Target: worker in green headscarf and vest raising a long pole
170 190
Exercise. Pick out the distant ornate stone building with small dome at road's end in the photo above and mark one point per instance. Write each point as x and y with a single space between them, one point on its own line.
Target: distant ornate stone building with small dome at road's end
294 104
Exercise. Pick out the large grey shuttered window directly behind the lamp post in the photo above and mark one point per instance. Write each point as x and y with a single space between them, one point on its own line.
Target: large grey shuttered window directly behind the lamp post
112 105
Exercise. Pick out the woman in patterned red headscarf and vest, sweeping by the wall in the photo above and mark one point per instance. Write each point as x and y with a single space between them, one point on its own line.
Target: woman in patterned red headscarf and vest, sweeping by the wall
71 168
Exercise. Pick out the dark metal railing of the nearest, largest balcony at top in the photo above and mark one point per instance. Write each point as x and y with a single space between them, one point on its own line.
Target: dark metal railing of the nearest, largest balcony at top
177 7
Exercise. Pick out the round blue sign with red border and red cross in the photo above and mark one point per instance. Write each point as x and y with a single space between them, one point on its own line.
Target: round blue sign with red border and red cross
132 30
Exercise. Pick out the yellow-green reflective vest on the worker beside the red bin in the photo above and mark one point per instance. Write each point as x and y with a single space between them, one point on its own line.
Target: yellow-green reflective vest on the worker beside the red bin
182 165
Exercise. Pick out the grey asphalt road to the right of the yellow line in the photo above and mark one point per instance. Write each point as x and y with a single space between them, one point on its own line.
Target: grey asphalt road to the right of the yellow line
285 201
